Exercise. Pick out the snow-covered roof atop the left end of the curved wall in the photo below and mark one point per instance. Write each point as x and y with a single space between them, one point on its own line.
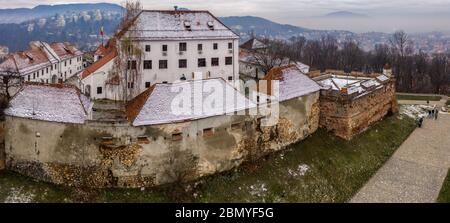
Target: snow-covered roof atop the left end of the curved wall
54 103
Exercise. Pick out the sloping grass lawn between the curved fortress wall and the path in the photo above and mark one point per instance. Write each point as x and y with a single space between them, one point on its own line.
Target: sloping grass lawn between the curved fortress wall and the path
321 168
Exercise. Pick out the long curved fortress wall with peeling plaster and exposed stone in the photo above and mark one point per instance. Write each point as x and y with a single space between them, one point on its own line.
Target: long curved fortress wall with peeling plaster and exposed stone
119 155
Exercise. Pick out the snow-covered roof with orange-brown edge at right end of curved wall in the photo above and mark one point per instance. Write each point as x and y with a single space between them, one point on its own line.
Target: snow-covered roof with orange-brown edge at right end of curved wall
292 82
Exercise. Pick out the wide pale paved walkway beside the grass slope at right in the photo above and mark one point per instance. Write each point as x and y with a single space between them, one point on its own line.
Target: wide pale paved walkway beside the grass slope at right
416 171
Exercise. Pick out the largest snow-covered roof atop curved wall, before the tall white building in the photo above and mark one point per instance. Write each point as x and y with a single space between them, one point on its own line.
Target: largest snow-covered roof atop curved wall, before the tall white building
184 101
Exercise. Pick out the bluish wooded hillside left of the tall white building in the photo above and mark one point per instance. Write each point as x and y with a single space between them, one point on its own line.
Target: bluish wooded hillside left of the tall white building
81 28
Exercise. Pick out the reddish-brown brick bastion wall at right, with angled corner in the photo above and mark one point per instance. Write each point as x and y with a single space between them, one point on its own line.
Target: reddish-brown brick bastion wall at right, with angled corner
349 116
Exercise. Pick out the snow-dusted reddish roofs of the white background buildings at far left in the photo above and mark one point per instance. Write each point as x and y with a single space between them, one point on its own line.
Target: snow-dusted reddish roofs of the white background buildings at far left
39 56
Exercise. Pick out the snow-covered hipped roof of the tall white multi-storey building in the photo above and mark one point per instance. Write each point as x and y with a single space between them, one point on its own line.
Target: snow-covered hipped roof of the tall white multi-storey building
180 24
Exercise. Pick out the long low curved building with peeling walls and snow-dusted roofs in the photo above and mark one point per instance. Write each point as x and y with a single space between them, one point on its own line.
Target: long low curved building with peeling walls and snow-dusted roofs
167 136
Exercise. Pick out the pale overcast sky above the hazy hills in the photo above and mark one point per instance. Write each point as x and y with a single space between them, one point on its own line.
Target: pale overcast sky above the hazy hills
413 15
